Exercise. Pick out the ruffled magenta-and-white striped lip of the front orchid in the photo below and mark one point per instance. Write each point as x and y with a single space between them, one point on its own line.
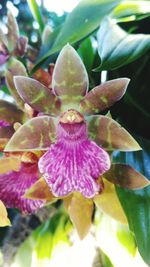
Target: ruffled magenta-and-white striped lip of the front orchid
74 163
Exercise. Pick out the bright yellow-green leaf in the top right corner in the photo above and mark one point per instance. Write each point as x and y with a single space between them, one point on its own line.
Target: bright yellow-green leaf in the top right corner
131 10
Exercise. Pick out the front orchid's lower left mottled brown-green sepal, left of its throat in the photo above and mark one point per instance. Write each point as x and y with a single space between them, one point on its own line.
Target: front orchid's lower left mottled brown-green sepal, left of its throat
36 134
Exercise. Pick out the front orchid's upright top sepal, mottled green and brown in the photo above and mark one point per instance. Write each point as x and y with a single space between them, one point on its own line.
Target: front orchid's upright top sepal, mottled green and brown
70 80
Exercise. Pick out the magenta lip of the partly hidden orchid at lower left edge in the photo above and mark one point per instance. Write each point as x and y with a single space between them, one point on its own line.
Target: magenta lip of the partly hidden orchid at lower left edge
13 186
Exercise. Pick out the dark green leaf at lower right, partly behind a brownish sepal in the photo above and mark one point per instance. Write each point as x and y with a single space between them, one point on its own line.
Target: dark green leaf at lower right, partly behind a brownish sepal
136 204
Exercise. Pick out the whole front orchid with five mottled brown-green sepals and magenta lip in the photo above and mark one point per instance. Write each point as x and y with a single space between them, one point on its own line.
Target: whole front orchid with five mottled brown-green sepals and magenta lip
75 140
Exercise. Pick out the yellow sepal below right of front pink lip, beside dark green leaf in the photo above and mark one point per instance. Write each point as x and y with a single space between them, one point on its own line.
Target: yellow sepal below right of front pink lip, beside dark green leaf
109 203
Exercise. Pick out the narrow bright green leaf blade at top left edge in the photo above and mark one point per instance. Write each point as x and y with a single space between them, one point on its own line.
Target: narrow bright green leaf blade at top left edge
36 13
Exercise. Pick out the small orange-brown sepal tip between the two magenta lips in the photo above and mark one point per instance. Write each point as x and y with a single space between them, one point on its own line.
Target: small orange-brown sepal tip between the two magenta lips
40 190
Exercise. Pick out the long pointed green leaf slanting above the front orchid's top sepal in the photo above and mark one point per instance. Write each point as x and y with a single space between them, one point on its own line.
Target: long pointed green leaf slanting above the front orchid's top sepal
83 20
